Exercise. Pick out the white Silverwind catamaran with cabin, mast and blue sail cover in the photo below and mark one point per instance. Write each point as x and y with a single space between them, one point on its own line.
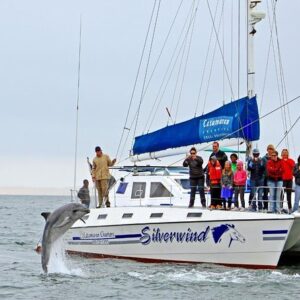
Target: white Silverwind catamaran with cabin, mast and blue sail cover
149 219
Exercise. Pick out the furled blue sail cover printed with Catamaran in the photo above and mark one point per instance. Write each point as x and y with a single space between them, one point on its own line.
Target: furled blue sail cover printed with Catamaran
238 119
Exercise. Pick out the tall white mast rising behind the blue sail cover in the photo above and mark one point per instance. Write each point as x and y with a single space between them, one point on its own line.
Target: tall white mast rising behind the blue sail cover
253 17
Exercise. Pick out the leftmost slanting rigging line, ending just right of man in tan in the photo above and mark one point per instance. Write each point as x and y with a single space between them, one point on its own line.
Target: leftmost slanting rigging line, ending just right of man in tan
125 127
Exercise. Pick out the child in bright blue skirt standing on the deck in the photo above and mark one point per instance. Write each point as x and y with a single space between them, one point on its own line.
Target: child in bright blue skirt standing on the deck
227 182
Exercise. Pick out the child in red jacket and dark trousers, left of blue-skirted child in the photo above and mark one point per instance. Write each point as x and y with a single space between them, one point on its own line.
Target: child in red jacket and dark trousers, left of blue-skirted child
214 174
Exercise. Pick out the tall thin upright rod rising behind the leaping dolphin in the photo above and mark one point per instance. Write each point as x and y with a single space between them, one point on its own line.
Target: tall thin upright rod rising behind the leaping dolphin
77 106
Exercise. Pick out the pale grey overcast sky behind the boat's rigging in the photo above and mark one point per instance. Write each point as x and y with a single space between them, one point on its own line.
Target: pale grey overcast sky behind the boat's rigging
38 79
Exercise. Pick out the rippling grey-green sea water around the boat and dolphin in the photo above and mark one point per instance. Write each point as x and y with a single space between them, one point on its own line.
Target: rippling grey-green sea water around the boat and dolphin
21 275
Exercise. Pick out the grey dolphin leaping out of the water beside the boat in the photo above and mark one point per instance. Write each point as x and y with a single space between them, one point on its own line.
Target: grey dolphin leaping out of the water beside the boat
57 223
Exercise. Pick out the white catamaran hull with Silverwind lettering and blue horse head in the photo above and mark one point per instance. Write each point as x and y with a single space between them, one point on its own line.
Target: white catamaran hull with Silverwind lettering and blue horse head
178 234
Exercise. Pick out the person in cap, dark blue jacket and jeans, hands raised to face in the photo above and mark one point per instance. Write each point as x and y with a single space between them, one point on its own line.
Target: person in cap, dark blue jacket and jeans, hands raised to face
256 168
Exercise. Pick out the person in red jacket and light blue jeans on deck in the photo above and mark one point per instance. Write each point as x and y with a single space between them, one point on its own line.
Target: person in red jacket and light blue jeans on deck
274 177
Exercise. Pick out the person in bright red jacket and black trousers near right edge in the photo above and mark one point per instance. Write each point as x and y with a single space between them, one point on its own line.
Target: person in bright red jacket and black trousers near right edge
287 176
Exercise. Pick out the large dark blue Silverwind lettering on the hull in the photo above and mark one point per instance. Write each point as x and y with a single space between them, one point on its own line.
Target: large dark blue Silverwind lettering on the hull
179 237
